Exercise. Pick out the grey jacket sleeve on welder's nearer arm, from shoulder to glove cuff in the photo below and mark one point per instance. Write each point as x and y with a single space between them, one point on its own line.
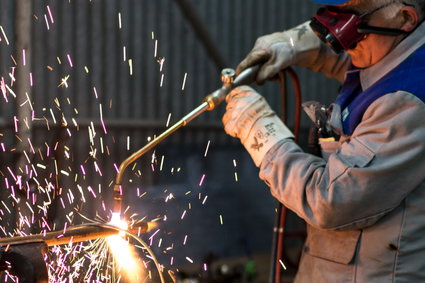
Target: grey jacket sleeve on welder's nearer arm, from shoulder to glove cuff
368 176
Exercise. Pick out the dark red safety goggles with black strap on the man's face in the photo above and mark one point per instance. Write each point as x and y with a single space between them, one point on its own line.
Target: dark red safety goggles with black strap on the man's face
342 30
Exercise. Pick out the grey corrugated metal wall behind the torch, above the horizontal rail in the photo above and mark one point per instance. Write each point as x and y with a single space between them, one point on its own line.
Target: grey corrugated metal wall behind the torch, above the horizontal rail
89 33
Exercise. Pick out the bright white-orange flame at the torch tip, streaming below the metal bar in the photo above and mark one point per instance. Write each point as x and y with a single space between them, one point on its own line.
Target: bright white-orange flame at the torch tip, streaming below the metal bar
124 253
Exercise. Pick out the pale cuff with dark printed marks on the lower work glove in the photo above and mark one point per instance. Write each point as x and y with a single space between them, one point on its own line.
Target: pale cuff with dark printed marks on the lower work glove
265 133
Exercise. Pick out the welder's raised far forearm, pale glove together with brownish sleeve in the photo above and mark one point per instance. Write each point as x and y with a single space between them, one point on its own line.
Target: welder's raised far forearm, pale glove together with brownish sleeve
298 46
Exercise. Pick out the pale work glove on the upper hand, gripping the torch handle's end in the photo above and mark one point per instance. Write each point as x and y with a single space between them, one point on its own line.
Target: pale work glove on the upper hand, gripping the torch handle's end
277 51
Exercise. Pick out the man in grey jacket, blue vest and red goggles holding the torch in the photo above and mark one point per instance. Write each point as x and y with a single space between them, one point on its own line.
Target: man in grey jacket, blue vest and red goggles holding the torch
363 198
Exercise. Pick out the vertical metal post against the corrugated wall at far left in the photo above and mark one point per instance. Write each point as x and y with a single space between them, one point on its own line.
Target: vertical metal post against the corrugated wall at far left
22 50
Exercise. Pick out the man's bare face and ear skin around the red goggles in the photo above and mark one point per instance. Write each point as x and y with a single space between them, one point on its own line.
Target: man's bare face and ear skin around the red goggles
375 47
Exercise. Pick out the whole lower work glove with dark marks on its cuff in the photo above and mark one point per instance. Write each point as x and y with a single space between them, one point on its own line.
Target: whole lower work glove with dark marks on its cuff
249 117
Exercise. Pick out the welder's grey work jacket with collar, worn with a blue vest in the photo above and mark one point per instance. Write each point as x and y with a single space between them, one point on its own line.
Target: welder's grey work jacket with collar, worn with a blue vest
365 203
